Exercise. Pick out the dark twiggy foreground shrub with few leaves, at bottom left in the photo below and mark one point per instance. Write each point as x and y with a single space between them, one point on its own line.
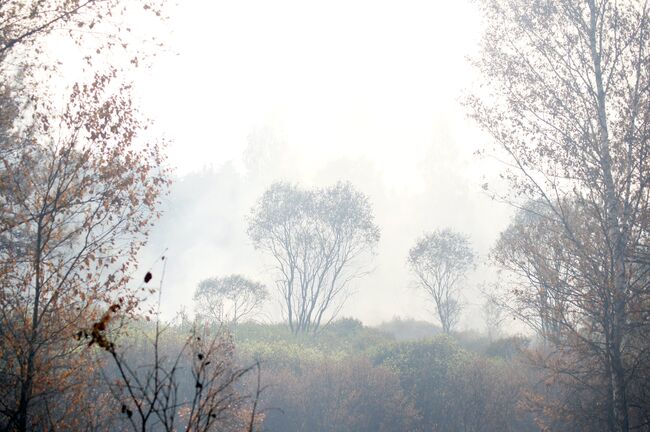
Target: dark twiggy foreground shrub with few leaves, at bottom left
196 390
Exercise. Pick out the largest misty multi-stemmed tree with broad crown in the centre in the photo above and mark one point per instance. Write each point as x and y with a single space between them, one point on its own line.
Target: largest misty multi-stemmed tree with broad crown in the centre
317 239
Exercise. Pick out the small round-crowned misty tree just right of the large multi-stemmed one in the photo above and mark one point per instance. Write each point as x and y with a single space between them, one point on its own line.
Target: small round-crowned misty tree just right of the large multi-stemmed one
441 261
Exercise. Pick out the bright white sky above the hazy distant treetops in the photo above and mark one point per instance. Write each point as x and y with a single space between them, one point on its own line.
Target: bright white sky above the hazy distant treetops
342 78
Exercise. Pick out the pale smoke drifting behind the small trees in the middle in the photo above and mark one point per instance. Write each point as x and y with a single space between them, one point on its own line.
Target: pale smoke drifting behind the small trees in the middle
204 223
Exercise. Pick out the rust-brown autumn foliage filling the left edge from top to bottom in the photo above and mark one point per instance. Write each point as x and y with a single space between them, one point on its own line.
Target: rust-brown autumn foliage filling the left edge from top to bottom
79 191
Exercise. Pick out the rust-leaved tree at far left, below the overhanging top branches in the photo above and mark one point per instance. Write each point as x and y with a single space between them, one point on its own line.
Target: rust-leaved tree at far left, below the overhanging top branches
70 228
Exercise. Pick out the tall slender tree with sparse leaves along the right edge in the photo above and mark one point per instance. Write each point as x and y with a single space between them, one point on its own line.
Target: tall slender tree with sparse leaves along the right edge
569 102
